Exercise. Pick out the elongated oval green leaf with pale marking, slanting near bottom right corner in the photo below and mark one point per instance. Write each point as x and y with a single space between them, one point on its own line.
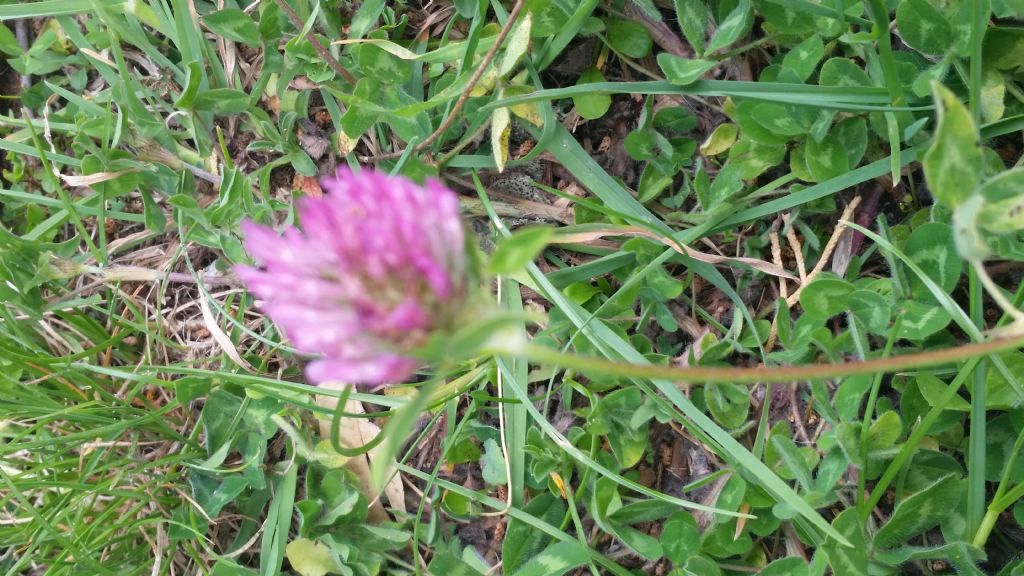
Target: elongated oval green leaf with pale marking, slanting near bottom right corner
920 513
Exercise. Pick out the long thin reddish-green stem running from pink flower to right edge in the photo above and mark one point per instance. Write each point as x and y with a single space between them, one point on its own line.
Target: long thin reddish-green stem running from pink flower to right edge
706 375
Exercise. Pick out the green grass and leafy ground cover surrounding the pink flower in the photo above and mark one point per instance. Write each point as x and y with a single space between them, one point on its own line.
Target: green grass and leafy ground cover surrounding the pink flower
154 422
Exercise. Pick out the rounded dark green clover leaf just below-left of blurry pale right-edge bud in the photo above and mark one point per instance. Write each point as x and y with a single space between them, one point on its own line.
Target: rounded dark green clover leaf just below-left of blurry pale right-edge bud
932 248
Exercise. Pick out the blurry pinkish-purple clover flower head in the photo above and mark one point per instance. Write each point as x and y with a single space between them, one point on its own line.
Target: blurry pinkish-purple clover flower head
379 266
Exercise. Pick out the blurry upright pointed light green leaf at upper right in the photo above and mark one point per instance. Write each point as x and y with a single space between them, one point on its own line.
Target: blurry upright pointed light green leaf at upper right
953 164
